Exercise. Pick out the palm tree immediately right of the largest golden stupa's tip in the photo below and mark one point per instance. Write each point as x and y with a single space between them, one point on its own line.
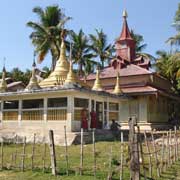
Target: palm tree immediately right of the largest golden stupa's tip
81 51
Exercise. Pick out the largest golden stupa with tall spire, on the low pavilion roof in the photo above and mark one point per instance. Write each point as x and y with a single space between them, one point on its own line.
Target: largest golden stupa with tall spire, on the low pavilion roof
59 75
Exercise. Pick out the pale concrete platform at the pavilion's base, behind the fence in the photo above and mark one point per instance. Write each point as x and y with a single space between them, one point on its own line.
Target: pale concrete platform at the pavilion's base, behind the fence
42 135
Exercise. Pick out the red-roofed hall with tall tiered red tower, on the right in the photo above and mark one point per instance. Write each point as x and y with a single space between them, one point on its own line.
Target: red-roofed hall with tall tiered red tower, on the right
153 101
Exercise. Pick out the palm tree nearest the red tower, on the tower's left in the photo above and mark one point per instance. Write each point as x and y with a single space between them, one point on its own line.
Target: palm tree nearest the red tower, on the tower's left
100 47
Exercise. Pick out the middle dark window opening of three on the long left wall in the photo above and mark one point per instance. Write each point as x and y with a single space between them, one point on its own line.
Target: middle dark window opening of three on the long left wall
32 104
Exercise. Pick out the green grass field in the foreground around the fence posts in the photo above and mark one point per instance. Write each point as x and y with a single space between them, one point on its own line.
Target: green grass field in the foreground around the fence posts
103 162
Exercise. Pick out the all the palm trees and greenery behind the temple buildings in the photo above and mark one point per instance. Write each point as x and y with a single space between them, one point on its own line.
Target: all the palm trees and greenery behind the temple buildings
91 50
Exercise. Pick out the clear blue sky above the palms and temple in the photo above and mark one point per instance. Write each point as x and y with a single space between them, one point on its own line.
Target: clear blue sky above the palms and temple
150 18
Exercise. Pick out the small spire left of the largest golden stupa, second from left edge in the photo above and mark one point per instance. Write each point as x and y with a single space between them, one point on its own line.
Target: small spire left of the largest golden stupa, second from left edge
33 83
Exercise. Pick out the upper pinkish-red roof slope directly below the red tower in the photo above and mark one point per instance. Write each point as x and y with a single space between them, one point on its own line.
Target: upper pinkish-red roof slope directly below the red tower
130 70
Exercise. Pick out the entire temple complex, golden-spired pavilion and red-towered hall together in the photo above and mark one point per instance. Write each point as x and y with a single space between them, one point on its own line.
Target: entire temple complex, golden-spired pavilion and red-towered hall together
125 88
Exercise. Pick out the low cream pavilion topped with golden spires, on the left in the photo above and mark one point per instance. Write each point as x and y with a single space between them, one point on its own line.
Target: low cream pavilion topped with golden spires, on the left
56 101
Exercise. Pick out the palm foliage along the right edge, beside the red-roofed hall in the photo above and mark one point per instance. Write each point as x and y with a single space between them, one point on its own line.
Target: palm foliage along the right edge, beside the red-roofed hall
168 62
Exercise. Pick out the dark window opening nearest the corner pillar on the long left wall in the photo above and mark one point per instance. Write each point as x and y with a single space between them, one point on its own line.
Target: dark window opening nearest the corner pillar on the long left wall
57 102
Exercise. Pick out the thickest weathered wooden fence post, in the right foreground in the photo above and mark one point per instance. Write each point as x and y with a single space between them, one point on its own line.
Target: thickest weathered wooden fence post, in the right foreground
134 151
